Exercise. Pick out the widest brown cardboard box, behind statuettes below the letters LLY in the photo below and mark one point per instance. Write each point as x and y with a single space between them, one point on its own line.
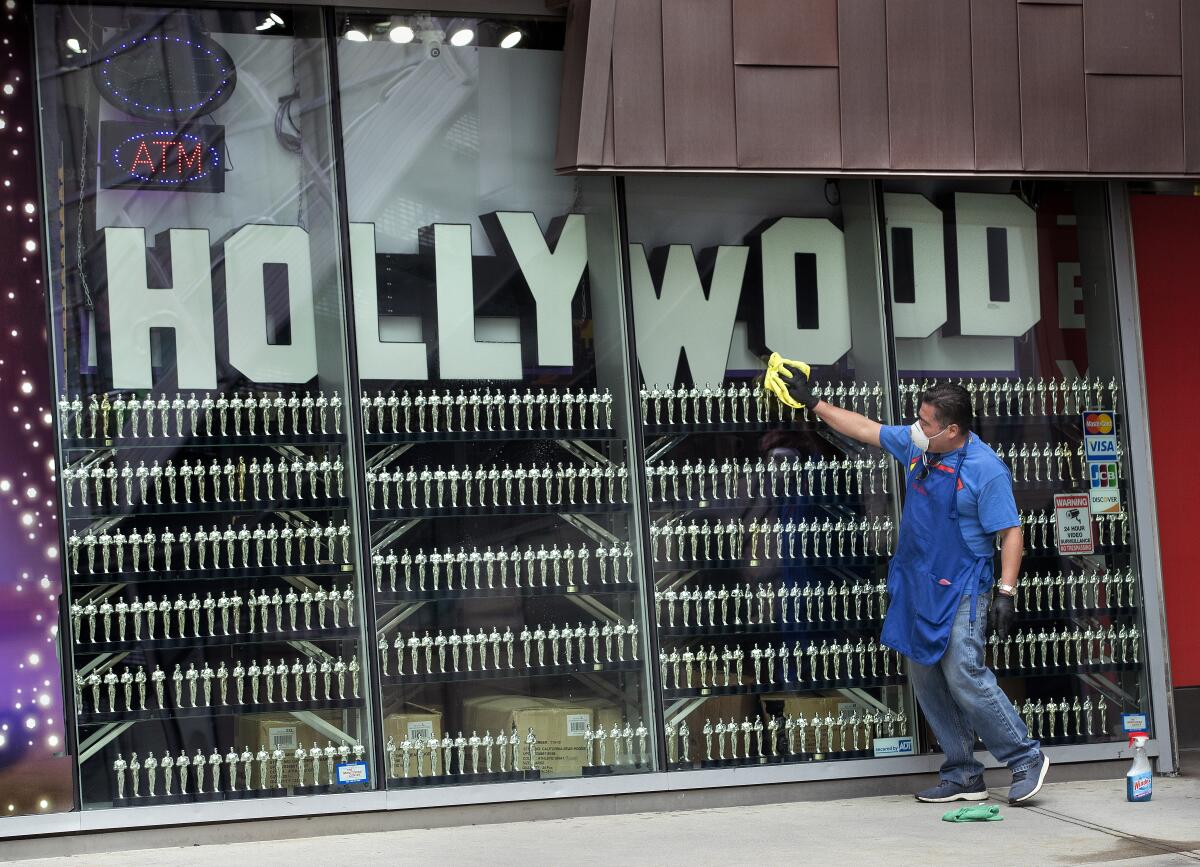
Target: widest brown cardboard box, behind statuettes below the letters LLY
559 727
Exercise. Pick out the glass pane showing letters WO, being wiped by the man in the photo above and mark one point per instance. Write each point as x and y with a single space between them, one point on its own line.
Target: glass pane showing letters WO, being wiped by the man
771 534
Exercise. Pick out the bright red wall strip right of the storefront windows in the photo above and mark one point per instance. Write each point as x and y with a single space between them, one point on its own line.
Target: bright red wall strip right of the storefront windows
1167 248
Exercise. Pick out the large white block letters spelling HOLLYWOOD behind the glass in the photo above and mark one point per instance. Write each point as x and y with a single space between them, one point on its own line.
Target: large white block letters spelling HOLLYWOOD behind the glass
679 306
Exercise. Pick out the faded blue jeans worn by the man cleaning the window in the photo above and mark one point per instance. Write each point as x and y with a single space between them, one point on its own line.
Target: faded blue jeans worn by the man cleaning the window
961 699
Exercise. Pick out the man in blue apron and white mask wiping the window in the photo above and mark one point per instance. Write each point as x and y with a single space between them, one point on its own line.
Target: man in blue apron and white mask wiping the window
943 605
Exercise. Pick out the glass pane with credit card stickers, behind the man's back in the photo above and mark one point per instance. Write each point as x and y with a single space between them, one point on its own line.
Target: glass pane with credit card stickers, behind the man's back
1006 289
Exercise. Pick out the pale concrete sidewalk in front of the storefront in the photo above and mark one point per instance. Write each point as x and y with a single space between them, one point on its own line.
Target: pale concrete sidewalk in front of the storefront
1071 824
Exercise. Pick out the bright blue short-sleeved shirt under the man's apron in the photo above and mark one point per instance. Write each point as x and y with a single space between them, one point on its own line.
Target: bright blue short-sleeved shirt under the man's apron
986 499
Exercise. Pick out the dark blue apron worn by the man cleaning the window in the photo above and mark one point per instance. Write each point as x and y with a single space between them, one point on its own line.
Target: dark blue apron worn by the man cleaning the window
933 569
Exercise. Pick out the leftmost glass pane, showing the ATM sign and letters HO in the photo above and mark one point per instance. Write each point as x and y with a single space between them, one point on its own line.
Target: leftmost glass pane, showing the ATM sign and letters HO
214 631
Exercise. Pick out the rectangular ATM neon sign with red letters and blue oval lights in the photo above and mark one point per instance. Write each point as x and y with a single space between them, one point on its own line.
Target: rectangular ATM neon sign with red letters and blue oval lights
146 157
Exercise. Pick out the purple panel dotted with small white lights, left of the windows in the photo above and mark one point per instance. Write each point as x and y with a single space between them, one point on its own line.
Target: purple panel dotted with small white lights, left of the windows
35 774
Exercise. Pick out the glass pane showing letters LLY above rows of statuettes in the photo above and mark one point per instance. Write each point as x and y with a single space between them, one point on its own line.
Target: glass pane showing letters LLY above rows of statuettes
508 599
